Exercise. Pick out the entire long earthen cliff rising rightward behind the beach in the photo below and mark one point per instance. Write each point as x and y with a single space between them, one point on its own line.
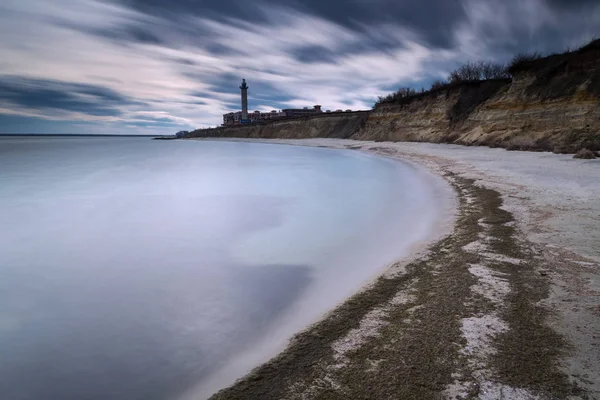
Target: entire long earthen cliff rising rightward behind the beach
552 103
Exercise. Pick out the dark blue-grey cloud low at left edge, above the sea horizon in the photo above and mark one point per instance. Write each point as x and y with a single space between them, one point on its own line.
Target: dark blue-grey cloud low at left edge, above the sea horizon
39 94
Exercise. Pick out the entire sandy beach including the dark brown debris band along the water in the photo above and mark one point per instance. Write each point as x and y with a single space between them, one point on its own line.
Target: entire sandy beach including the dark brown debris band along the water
506 307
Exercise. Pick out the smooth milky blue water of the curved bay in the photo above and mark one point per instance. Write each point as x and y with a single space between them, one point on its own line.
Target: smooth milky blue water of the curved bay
138 269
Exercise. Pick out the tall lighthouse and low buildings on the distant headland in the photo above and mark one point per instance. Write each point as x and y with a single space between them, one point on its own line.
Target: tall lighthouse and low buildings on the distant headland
244 117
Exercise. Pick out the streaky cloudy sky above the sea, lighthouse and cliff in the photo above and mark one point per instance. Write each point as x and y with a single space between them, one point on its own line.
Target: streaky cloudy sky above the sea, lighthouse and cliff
161 66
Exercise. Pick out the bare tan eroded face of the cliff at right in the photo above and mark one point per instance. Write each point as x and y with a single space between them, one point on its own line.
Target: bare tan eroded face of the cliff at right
503 114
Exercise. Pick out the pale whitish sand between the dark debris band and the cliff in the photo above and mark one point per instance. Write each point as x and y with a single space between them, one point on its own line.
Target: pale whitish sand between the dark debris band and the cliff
555 200
